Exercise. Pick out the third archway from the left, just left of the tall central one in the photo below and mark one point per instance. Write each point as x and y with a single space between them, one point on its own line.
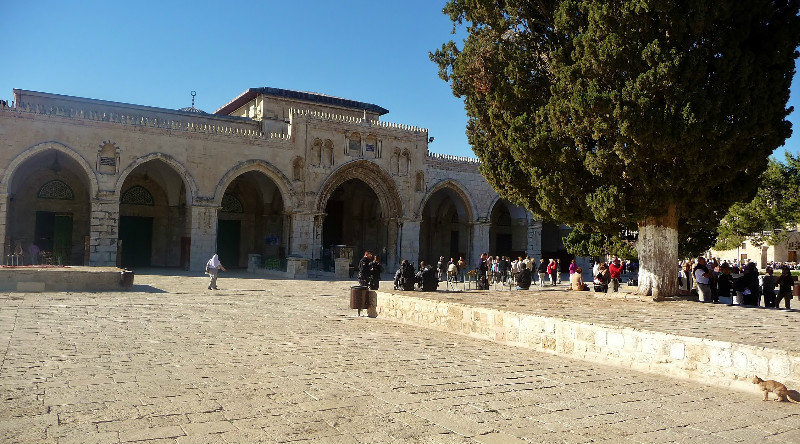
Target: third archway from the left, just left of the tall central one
251 220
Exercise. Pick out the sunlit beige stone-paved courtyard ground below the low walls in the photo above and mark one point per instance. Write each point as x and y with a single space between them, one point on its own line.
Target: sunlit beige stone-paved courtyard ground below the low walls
287 361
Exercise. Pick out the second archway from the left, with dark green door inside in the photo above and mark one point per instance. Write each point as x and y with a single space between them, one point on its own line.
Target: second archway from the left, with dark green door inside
153 228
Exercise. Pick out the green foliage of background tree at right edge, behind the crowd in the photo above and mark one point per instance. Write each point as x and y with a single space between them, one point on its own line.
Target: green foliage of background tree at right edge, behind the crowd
765 218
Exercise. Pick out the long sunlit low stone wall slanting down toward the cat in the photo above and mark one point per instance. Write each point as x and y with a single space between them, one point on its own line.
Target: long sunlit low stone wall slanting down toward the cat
708 361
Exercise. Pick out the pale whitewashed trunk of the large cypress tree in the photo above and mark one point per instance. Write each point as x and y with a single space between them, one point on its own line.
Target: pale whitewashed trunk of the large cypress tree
658 255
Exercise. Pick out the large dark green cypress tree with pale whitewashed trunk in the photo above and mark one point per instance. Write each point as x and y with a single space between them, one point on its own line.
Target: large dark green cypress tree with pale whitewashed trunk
650 115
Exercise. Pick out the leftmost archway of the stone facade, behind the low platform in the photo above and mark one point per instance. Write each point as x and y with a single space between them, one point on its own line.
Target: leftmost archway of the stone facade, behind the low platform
49 205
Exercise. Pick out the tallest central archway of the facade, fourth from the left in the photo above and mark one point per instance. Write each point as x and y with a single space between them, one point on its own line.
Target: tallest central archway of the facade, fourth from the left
354 218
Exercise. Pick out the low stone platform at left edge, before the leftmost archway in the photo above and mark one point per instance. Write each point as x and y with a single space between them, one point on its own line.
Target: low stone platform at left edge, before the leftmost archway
34 279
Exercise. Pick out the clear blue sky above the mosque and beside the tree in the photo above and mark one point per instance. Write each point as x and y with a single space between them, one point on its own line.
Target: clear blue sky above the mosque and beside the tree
154 53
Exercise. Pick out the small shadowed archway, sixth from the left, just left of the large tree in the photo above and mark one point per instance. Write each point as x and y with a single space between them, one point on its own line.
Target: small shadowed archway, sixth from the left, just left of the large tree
508 230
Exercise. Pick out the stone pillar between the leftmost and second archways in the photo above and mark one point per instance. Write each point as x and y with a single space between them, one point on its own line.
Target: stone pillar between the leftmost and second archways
104 230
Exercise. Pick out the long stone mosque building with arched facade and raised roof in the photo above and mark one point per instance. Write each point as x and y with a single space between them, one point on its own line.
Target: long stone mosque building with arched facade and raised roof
274 172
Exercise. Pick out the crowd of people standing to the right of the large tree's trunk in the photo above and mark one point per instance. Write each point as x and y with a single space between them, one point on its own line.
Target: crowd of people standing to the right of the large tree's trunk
712 280
